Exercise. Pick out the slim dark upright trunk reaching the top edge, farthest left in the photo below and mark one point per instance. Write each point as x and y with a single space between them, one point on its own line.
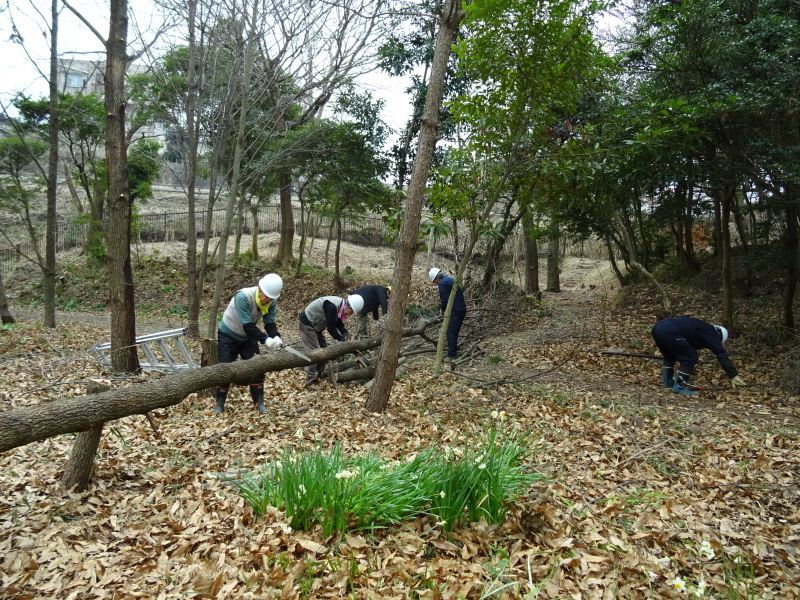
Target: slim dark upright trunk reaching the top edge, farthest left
52 179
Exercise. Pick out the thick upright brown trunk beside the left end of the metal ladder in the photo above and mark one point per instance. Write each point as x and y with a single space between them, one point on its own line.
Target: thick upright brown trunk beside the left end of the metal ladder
124 357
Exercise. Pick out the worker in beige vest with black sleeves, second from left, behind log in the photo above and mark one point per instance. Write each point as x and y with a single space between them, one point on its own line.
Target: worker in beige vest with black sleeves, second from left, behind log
327 312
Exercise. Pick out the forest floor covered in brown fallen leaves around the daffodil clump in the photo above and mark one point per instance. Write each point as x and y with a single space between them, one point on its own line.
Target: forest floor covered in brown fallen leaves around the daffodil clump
645 490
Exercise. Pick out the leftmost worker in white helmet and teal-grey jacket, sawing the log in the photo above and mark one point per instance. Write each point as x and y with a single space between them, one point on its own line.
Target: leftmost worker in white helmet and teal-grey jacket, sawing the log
238 335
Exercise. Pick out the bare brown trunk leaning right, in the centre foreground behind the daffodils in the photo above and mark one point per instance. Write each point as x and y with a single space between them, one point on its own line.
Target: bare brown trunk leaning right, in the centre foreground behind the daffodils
452 14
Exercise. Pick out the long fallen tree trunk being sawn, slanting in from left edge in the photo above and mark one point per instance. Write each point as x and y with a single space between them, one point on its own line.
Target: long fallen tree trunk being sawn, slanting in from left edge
35 423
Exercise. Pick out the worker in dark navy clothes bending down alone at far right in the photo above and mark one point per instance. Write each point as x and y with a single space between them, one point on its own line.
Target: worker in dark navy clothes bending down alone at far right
679 339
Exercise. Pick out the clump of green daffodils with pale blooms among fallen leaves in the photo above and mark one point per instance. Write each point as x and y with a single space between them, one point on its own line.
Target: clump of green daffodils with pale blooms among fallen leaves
342 493
